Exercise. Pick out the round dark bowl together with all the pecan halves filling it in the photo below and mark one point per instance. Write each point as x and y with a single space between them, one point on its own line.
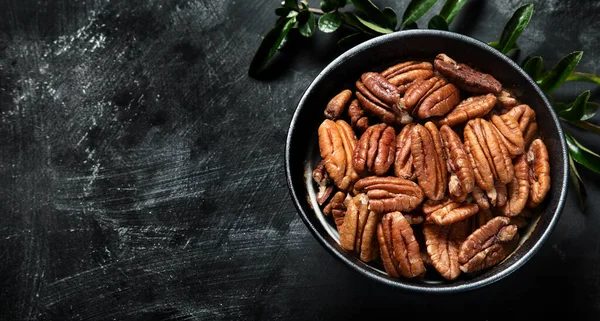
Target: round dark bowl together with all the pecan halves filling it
421 159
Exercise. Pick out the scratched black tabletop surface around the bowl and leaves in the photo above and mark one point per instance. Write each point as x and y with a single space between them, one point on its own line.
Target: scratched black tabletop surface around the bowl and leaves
141 170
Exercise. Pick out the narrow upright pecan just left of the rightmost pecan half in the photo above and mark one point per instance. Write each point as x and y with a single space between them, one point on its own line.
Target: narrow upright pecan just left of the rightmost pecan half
518 188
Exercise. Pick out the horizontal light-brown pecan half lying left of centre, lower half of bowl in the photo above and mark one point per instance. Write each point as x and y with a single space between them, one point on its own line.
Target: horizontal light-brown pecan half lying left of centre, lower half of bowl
388 194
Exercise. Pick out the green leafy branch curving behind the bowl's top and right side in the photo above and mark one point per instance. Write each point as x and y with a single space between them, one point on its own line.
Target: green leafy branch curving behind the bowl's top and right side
370 21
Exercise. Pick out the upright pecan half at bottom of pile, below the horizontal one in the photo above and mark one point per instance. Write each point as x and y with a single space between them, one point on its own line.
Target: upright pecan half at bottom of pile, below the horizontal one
399 249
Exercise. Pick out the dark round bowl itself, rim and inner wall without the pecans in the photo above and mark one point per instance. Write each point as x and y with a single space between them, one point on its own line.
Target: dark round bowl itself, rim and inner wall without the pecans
302 152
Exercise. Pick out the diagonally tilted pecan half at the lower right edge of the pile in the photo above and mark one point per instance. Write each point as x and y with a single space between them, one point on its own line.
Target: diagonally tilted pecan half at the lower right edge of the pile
488 245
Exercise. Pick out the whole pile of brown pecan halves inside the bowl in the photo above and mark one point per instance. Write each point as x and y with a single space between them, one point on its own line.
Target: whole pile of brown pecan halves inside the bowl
430 168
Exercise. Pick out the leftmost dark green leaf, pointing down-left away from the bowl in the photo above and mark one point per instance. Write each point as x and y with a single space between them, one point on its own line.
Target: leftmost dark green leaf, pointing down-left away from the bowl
269 45
